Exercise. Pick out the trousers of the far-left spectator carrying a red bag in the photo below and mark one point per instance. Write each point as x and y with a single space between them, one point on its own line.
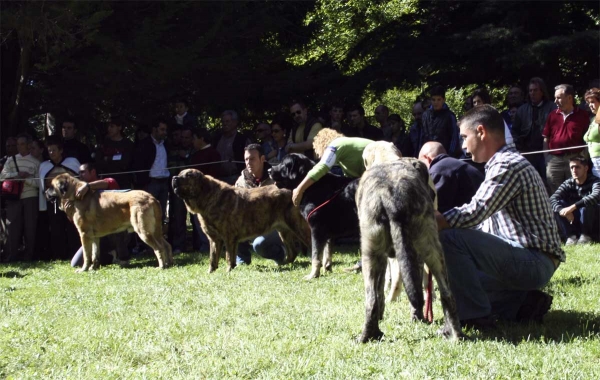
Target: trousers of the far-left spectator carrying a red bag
21 218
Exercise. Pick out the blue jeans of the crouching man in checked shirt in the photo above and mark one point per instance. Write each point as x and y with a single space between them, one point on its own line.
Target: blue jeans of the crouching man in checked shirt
490 275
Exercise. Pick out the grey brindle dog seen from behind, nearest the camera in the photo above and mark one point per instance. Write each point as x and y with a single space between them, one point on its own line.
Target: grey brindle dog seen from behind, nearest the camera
397 220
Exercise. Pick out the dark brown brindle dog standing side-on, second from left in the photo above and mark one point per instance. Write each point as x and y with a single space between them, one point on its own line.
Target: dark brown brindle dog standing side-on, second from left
229 215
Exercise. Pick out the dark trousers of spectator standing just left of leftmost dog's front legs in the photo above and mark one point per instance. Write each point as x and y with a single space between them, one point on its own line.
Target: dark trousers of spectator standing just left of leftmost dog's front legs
64 238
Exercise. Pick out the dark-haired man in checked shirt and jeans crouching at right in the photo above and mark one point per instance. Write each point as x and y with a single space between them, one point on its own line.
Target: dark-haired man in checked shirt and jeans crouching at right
504 245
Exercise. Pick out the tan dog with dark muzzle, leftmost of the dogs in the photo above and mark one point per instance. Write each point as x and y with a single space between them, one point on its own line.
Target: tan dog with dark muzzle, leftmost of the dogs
103 213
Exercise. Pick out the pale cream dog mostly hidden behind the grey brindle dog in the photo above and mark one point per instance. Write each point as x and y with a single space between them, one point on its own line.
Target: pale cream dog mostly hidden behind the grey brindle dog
380 152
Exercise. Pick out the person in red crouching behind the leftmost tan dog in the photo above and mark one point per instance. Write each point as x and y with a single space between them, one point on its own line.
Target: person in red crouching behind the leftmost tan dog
113 248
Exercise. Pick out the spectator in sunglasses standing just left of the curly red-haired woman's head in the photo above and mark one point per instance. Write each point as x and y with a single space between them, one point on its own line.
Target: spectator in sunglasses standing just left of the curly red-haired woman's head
304 130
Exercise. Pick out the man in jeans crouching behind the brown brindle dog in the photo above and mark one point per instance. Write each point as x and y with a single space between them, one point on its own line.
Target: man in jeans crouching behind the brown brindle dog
256 174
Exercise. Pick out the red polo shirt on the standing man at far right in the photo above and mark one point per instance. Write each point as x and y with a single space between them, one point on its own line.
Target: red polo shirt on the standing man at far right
565 133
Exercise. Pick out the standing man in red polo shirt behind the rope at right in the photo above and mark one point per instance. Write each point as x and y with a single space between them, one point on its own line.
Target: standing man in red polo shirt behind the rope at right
564 129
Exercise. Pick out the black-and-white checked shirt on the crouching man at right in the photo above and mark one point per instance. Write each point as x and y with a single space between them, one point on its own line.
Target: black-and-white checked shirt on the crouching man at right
512 204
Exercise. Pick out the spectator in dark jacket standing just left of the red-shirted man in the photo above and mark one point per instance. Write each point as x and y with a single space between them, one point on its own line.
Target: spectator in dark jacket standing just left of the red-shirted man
529 124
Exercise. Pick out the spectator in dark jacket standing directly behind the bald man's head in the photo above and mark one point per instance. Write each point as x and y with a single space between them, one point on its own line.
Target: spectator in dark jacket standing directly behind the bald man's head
439 123
